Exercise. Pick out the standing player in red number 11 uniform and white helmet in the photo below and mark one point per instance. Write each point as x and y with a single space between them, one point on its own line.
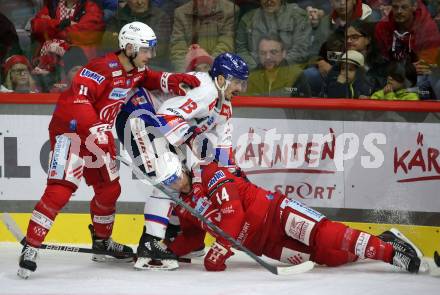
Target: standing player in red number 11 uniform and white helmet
82 143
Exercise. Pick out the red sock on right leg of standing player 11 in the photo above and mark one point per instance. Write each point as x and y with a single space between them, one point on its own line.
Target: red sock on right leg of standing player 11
103 207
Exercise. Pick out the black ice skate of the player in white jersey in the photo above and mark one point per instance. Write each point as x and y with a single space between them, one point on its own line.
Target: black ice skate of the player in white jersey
153 254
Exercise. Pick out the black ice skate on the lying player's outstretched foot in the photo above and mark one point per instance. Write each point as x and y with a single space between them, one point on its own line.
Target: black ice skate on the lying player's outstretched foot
406 254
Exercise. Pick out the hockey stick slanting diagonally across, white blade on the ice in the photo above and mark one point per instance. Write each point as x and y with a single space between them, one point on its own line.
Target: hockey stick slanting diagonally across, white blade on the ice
277 270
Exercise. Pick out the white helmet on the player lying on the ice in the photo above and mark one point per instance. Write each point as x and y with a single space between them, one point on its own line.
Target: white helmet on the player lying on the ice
169 168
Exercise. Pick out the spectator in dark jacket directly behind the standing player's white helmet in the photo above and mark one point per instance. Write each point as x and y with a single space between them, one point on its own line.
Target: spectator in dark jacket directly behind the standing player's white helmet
143 11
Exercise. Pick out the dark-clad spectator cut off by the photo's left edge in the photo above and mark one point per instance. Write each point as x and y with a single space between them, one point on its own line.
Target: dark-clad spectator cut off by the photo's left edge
9 44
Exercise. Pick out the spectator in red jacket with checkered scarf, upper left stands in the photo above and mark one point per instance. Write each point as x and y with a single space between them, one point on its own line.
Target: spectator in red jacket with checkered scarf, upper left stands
78 22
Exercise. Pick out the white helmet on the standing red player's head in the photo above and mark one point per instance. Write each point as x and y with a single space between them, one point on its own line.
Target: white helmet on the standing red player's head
137 34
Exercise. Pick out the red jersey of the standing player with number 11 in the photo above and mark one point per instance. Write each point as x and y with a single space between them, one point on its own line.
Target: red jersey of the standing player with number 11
97 93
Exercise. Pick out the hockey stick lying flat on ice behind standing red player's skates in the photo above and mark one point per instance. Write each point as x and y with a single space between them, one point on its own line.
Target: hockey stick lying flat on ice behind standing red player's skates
13 228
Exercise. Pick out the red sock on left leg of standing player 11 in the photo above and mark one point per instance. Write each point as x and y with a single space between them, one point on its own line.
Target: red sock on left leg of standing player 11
55 197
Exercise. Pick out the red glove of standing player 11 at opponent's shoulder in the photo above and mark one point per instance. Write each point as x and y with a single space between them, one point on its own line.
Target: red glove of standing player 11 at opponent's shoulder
174 83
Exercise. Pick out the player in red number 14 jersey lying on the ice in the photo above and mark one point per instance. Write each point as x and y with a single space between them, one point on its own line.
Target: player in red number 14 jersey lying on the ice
269 223
